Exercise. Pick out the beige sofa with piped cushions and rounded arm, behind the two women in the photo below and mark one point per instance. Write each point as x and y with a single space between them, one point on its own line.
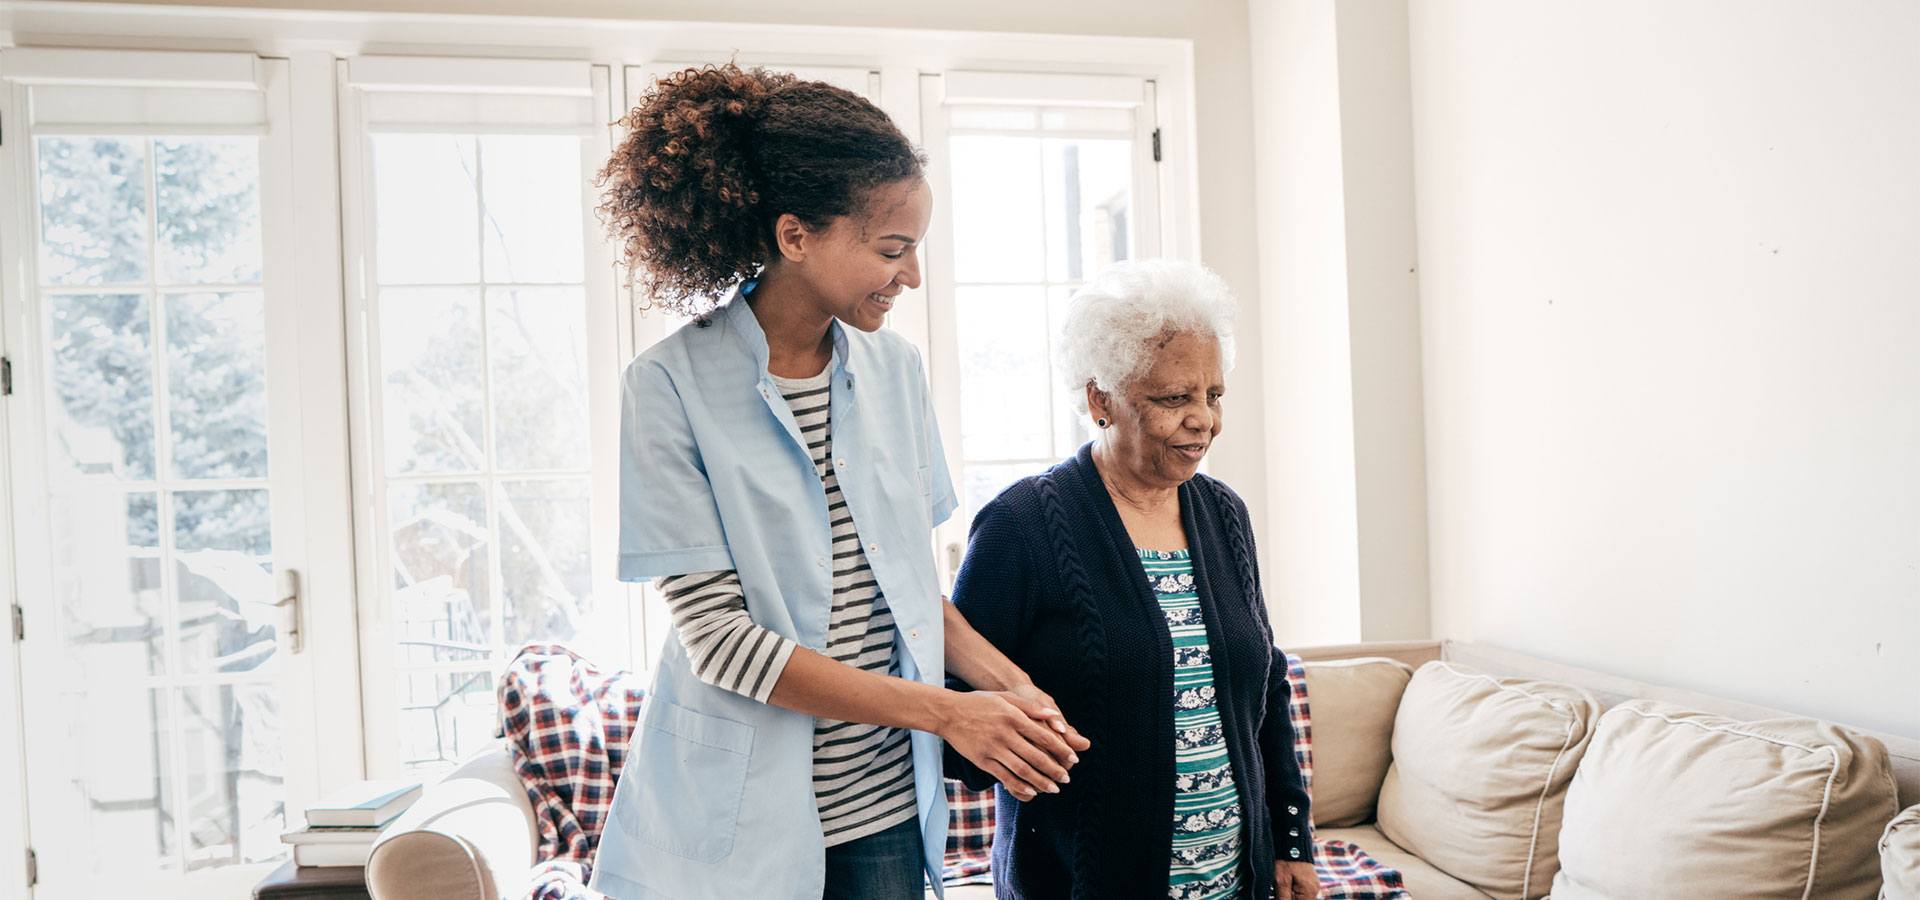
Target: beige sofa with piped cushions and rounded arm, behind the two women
1506 776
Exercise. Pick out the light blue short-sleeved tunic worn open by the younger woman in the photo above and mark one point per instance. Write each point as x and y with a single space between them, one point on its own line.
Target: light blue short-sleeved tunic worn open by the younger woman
717 797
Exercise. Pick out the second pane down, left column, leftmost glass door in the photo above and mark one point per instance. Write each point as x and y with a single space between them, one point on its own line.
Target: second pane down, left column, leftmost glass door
103 369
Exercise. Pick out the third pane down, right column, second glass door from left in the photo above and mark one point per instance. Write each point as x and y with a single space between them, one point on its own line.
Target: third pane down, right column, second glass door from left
544 534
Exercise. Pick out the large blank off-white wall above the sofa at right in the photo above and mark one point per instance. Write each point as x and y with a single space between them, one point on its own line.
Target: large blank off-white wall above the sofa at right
1671 285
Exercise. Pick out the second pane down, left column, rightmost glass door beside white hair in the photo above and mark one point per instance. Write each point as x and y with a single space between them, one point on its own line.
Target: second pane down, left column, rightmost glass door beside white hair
1005 389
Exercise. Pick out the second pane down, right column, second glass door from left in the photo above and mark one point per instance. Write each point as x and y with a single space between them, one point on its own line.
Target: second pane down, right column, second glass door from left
540 379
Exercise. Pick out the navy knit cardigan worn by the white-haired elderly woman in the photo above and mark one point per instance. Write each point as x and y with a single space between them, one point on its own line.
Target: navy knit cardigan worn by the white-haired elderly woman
1055 582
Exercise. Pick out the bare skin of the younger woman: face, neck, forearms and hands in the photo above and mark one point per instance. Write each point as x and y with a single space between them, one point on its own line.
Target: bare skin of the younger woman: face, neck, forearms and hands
852 272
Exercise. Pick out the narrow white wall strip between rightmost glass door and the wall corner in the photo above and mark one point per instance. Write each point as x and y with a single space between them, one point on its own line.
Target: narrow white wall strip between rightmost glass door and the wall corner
1312 567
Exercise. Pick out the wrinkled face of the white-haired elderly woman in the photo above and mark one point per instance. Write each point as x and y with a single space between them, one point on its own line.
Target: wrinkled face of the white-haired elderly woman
1164 423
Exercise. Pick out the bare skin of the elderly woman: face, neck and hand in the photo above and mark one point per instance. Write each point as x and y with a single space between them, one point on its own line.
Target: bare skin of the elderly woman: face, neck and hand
1159 431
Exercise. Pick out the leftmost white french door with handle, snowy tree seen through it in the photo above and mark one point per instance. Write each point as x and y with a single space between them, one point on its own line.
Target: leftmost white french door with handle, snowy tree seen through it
156 458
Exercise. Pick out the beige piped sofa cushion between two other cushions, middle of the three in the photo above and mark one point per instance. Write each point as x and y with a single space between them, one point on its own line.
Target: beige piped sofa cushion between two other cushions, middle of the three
1481 769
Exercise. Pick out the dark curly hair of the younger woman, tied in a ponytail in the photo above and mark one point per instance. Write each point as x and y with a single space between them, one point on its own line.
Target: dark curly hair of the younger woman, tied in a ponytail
717 154
